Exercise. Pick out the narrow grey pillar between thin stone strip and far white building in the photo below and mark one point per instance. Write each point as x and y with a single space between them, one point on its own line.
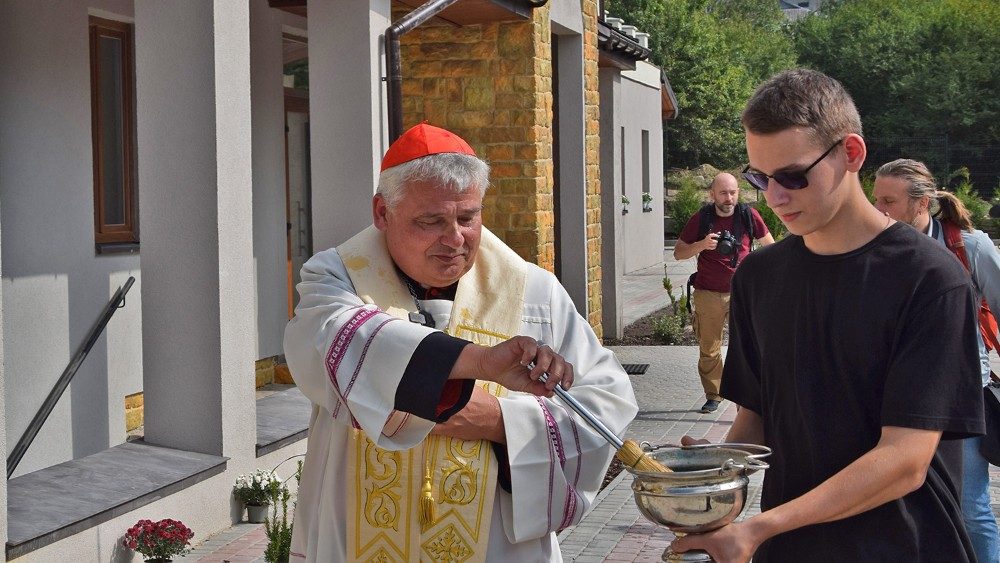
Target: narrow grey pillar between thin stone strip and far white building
612 249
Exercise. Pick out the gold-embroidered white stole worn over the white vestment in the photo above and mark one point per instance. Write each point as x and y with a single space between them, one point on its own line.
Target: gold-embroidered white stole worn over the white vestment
385 486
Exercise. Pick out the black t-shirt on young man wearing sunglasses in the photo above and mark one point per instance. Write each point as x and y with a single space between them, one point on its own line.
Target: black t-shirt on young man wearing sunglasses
828 350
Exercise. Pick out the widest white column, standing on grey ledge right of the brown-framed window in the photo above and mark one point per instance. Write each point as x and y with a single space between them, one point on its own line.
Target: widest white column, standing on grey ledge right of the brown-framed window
194 161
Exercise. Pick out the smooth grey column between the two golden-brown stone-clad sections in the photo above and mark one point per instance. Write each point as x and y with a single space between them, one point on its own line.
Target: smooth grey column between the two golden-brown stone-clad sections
572 169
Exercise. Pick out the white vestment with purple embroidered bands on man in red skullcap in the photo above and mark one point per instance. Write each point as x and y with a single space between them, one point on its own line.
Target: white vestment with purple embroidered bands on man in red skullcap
557 462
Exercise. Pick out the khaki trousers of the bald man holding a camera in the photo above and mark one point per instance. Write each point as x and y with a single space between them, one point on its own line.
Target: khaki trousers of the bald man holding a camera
711 311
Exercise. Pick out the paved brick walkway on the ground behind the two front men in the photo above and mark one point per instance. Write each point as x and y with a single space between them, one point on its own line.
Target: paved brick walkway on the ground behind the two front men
669 394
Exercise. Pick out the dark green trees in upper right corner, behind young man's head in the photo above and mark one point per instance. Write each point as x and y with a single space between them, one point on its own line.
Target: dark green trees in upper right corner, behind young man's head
916 68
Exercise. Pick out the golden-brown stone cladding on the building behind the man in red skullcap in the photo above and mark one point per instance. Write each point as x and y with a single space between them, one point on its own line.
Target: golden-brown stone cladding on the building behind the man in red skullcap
492 84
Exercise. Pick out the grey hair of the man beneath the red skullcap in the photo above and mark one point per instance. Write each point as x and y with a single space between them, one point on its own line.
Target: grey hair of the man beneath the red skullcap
455 171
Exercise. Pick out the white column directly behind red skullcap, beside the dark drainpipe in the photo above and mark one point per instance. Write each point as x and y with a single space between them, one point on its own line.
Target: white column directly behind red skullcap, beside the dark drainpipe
346 113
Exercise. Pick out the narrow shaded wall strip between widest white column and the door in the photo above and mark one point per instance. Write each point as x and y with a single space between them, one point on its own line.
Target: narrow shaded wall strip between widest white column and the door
268 122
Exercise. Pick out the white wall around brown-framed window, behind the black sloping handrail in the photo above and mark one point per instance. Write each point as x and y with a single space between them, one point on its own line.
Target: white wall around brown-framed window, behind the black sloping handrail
54 286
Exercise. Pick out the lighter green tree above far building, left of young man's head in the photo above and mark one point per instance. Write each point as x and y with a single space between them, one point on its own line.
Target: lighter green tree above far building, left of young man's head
714 53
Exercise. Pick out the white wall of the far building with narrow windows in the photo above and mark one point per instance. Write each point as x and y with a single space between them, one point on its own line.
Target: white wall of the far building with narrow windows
641 110
